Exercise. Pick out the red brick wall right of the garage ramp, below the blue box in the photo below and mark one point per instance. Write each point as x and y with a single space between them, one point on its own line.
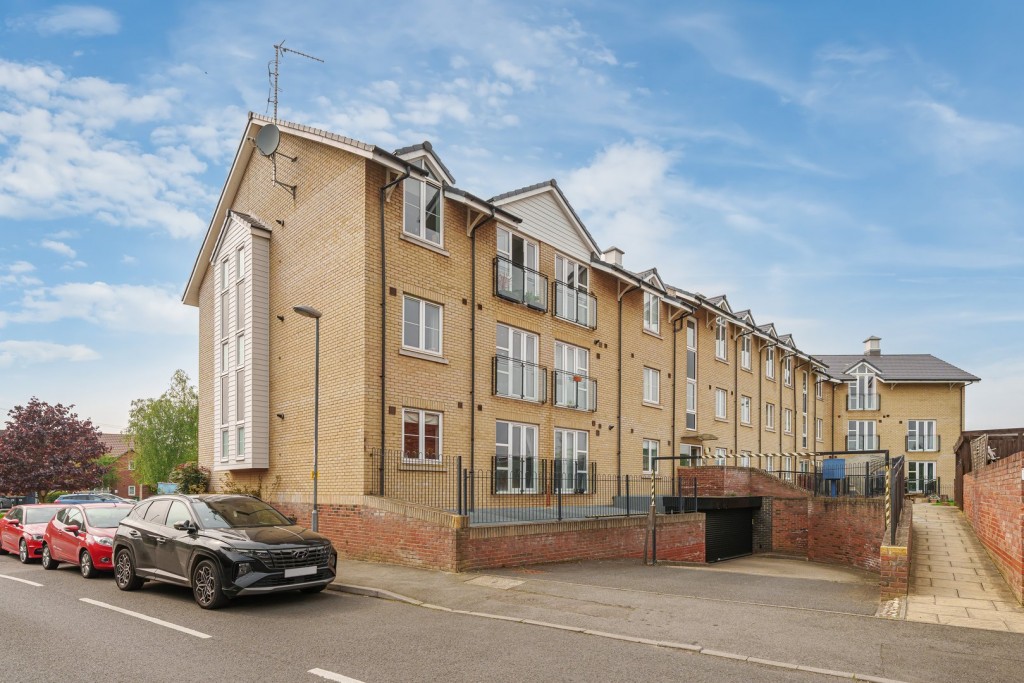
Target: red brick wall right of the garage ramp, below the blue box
847 531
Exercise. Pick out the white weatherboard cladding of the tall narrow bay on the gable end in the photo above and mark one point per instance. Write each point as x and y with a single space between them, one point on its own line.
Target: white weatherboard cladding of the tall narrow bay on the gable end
255 325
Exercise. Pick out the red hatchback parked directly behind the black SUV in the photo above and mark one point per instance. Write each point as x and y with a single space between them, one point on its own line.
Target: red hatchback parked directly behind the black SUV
83 535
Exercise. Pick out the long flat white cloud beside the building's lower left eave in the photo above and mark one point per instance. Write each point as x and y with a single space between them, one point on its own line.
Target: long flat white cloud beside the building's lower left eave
119 308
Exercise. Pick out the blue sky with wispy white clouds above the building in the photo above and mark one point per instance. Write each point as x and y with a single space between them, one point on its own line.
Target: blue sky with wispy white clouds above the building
841 169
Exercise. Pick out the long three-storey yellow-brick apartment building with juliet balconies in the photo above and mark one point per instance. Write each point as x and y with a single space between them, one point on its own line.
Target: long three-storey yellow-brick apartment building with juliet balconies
496 331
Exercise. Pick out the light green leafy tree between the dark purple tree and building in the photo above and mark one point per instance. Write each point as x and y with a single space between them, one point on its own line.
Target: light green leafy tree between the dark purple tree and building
165 431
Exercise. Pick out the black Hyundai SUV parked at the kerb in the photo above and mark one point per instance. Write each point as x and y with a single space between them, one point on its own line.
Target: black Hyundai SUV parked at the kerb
221 546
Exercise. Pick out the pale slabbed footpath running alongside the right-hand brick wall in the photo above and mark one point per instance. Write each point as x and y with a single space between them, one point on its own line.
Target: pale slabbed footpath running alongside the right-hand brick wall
953 579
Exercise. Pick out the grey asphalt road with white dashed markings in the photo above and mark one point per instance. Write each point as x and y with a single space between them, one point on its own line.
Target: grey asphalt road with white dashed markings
61 627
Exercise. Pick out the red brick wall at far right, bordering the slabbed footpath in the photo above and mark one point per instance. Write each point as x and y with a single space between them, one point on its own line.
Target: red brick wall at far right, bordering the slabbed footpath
994 503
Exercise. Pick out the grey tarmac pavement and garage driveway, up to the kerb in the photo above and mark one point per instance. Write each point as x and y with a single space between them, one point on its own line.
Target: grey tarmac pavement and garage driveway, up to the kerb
771 612
